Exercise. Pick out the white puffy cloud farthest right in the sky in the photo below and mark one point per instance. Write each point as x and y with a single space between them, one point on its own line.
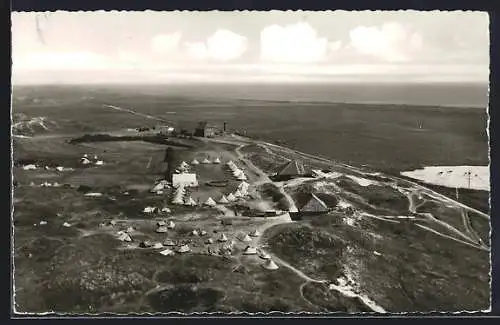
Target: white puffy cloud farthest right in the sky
390 42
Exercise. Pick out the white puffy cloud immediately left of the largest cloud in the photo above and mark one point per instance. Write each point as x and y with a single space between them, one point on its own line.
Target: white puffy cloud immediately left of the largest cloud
223 45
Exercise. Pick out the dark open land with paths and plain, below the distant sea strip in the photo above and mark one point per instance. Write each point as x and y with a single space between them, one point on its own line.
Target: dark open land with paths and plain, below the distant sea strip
90 234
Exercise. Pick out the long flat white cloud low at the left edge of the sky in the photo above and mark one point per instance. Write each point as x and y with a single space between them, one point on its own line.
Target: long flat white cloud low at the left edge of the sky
61 61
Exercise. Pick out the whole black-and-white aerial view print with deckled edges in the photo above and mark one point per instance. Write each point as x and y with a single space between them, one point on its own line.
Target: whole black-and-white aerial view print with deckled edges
243 162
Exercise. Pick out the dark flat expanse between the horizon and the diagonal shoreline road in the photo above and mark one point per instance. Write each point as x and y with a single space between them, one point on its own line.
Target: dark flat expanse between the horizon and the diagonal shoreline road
390 127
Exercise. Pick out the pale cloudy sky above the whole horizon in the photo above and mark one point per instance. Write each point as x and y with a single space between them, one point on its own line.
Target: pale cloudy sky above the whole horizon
251 46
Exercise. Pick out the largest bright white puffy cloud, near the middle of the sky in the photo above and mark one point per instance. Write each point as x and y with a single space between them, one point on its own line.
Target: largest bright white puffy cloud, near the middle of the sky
296 43
